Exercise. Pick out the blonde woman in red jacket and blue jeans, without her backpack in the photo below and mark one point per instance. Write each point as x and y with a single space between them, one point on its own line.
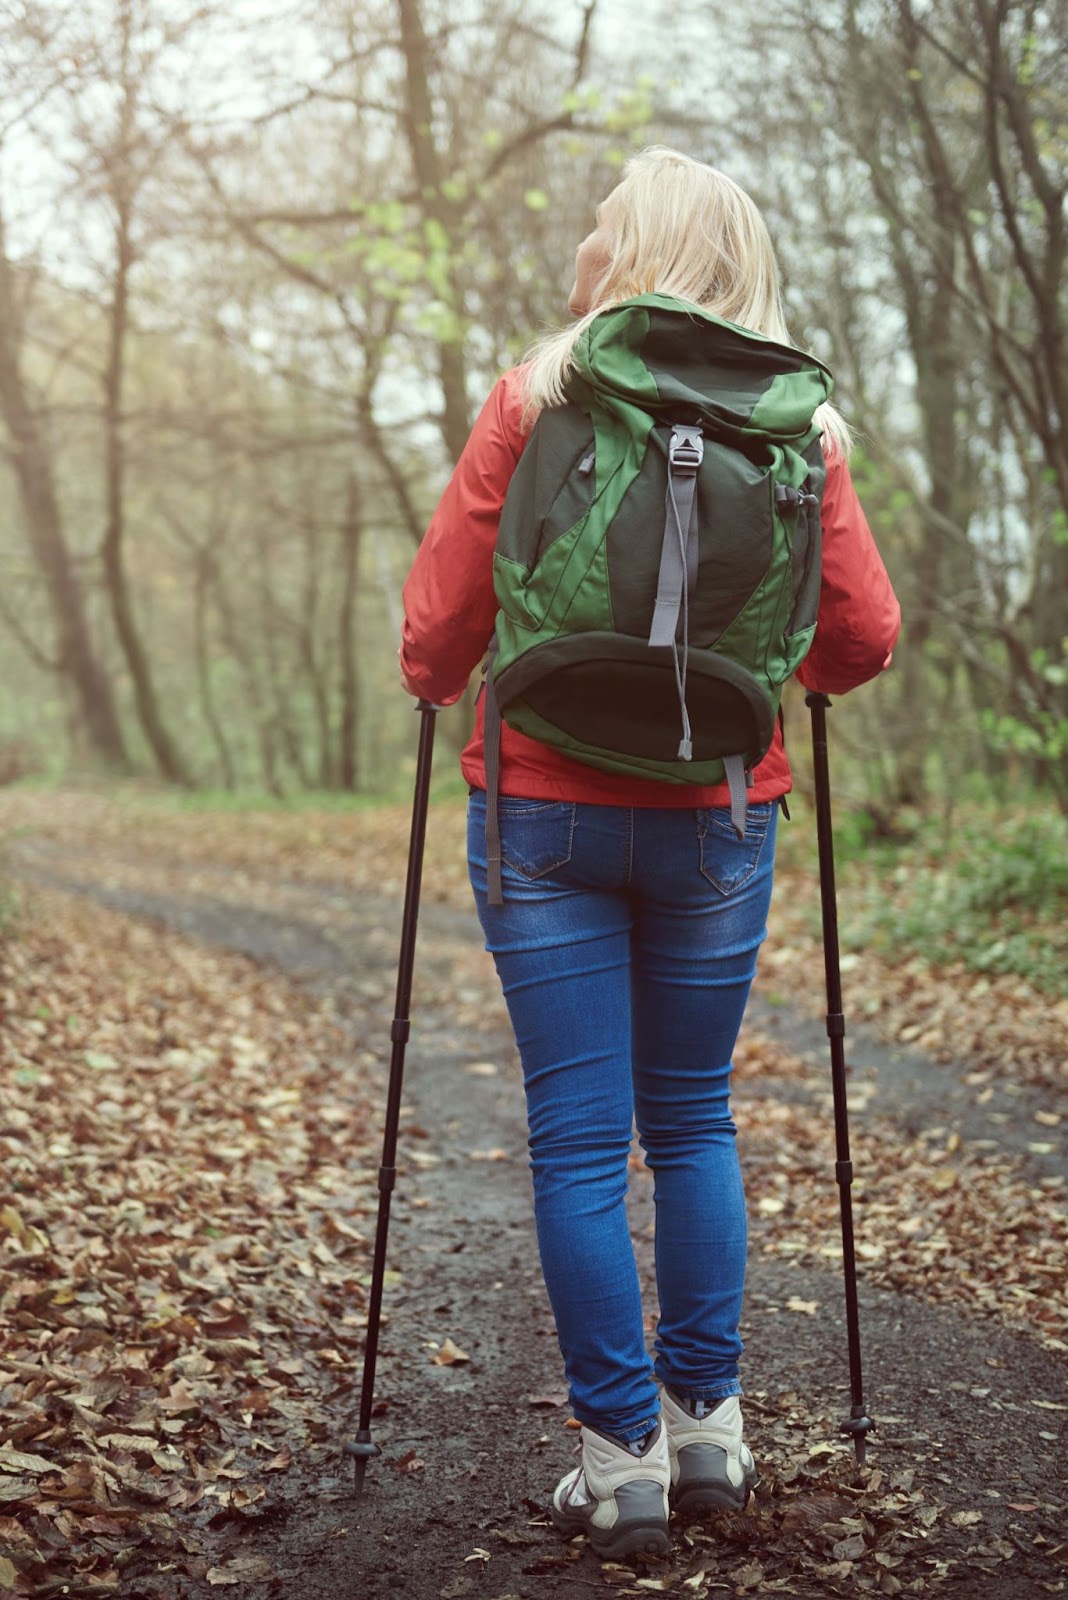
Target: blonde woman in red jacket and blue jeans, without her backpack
634 913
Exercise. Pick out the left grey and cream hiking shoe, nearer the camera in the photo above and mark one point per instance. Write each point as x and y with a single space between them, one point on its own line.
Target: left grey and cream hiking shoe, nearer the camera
618 1497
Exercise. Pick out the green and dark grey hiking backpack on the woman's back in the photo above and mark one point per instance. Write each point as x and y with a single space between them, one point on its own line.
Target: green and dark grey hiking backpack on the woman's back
658 562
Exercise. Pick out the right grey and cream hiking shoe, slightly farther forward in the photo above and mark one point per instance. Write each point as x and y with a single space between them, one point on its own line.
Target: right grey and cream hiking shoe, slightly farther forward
711 1466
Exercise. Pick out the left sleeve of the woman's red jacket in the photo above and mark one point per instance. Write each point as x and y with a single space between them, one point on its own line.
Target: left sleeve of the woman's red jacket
450 604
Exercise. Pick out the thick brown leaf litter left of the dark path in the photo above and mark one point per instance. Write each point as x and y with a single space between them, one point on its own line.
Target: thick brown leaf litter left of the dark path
183 1257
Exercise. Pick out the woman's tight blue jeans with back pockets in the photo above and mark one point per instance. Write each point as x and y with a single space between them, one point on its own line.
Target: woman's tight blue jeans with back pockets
626 948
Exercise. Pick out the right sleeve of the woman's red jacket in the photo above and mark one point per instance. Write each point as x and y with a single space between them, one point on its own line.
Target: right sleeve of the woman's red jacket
859 617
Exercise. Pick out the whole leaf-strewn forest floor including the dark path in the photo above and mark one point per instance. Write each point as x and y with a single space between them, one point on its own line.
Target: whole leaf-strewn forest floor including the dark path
194 1046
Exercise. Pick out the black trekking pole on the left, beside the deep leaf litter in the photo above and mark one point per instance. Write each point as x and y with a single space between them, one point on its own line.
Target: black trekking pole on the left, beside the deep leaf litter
364 1449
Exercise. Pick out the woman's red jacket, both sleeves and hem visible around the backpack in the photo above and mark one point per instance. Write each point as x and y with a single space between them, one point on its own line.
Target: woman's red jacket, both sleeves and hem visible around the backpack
450 610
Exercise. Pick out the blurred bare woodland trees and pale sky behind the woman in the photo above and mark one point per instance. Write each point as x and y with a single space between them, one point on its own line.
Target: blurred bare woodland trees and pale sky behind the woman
261 262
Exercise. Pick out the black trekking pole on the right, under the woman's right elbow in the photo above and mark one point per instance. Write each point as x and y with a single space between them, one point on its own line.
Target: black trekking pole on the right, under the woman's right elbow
858 1425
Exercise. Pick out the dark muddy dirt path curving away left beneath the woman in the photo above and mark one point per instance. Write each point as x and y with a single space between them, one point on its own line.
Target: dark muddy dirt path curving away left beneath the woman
970 1462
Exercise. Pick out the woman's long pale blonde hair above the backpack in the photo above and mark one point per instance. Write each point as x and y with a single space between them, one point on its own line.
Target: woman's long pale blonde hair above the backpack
679 228
